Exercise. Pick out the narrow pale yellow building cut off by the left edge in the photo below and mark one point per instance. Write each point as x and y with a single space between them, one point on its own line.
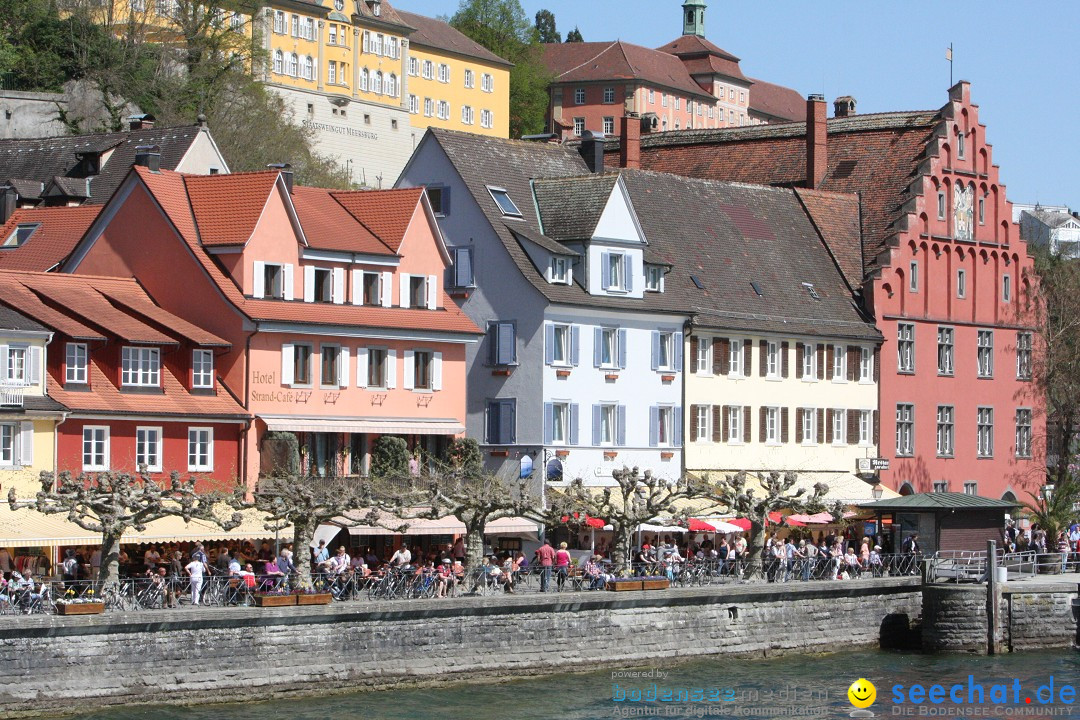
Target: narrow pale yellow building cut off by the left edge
28 416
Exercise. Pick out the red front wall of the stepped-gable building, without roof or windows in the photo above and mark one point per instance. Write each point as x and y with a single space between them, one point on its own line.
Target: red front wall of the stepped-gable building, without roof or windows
994 252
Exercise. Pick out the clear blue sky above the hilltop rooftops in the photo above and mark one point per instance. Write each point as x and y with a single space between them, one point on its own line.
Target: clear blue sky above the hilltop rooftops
1021 58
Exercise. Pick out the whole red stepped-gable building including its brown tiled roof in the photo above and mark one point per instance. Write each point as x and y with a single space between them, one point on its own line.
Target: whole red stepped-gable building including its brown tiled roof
937 261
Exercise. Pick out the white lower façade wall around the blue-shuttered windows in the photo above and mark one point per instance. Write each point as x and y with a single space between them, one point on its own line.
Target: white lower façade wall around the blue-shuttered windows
637 388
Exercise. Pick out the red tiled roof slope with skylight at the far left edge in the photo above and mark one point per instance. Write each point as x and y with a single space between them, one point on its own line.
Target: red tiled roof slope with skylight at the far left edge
61 229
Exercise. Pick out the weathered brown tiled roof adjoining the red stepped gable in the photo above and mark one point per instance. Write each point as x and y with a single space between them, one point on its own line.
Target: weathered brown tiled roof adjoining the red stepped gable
877 156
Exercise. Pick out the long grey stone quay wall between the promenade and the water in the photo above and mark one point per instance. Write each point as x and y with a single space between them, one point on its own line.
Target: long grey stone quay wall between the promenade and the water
51 664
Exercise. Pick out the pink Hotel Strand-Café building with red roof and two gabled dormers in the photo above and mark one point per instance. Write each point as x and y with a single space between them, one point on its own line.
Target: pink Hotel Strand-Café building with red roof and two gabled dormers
333 303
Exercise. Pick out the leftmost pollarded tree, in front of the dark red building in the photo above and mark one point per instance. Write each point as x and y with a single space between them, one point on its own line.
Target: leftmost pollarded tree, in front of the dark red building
116 504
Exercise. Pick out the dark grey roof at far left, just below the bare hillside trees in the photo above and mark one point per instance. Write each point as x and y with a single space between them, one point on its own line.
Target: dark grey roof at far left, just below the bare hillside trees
43 159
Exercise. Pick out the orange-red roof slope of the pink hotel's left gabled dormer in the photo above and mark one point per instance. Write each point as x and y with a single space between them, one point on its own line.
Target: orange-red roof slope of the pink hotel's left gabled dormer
227 208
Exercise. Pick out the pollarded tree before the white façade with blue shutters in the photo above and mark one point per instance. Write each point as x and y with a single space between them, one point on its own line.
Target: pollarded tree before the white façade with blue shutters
636 499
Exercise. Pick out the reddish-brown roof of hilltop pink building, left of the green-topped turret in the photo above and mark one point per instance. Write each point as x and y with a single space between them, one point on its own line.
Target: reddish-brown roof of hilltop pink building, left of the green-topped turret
592 62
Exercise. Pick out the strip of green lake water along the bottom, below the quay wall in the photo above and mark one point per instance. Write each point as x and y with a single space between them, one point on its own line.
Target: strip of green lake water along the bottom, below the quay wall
800 687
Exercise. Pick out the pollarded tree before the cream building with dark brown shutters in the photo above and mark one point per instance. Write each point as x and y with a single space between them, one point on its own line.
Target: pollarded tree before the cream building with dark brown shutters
776 492
